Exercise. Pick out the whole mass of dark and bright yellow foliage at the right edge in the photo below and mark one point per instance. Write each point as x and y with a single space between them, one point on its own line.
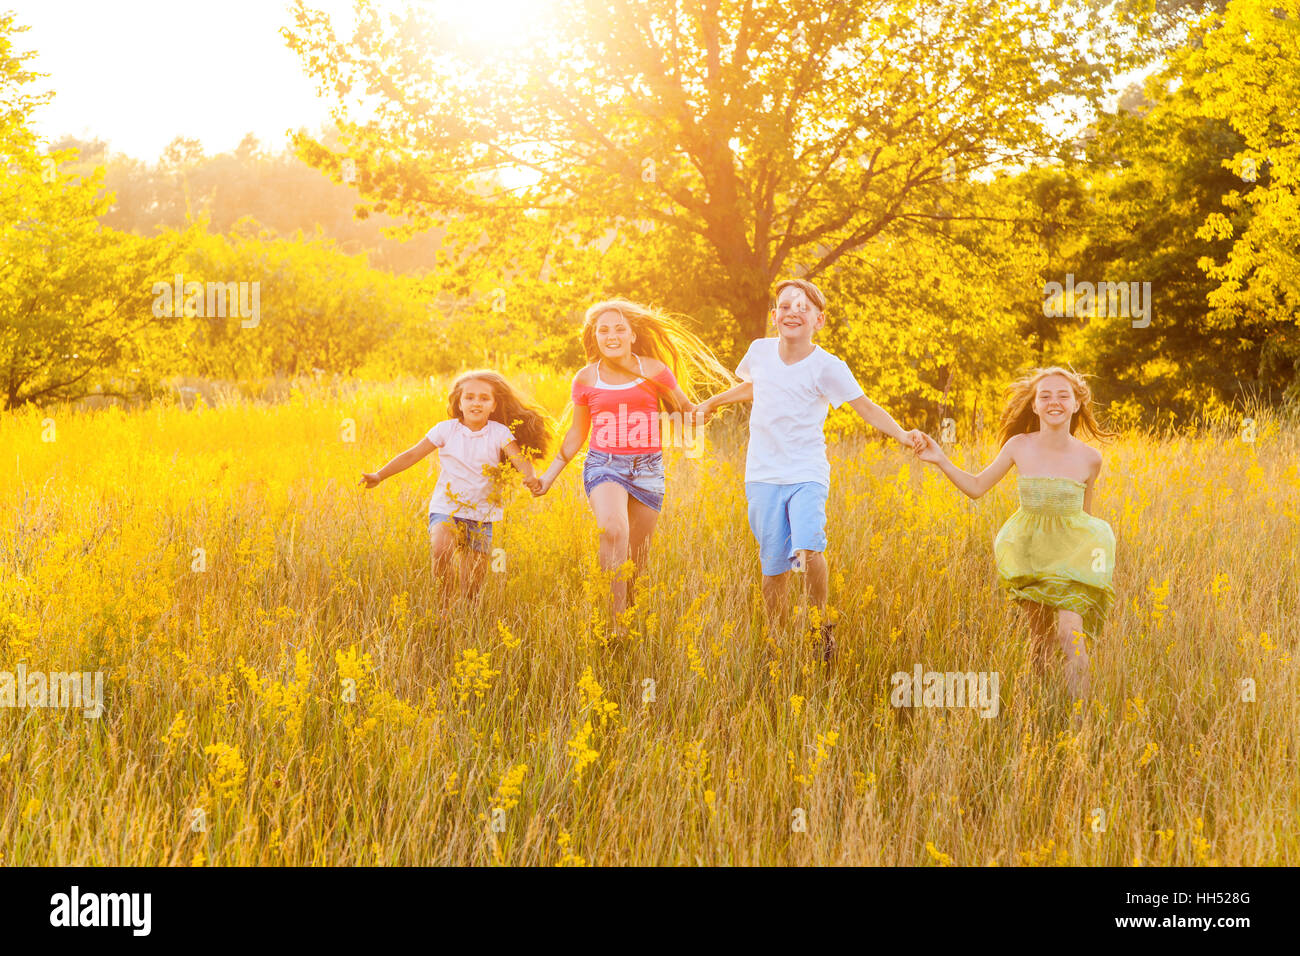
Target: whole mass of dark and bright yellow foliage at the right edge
1169 202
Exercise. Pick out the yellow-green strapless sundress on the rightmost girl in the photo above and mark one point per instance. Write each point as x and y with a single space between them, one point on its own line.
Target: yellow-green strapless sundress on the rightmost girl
1055 553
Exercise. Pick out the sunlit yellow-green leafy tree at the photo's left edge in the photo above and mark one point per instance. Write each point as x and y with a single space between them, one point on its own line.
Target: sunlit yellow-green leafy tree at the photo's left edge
76 314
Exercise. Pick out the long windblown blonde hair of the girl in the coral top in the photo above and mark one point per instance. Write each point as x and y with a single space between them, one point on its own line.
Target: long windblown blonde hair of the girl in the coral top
661 336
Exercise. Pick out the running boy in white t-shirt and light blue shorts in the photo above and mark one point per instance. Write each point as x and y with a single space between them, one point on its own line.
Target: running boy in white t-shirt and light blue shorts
792 383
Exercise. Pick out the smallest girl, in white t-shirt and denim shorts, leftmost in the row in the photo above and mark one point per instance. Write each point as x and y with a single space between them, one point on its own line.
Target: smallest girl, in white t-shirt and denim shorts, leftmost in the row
491 423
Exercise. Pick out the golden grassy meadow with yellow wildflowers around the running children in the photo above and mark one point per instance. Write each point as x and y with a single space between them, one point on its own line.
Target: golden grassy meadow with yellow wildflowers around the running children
311 698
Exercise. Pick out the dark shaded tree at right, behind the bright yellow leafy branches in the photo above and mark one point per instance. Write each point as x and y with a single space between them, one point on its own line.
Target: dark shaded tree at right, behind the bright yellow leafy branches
1158 172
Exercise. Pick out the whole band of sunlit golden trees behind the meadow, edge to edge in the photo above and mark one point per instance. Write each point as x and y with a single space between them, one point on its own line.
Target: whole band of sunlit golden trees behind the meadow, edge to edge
1158 252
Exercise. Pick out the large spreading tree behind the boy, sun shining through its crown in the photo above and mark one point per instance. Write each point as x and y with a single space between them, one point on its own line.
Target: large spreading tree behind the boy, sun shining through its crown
736 140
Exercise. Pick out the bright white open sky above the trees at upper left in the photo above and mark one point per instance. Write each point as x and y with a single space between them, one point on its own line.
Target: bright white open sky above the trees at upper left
138 73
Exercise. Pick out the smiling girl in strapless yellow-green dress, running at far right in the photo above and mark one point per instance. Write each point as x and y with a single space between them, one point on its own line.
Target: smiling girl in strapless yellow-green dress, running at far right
1054 556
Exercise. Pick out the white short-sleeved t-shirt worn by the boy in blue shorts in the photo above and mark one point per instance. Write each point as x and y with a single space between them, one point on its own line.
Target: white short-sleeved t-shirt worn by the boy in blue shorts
791 403
